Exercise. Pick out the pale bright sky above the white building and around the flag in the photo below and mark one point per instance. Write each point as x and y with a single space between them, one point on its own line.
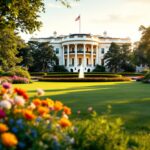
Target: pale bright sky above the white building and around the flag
119 18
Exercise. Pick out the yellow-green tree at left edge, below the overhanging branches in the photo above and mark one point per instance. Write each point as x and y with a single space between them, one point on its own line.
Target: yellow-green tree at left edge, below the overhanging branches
9 45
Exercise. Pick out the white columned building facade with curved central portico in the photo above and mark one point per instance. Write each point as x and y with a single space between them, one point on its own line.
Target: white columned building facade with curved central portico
87 50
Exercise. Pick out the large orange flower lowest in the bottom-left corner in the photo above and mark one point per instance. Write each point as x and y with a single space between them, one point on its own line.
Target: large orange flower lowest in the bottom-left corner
9 139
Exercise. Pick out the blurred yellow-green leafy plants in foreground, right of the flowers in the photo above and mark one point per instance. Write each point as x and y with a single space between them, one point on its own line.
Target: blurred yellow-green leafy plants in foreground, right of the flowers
100 133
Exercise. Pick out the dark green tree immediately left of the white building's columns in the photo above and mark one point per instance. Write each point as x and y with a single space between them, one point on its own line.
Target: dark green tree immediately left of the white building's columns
38 56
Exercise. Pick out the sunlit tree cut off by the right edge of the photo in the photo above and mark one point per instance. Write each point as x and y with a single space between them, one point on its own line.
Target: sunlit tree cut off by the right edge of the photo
142 49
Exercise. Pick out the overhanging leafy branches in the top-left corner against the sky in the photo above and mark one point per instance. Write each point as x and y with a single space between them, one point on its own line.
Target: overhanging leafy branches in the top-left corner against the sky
21 15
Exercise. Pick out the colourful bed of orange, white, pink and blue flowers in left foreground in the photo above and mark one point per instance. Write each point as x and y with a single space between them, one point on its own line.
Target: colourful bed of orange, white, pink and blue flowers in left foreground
36 124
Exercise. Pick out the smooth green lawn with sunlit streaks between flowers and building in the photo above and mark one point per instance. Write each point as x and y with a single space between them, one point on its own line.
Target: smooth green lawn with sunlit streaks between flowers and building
129 100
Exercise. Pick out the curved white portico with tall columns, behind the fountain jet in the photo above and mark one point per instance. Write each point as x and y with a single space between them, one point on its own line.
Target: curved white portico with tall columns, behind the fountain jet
79 53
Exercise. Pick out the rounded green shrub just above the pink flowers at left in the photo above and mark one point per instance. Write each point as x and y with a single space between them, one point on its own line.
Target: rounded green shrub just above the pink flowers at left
19 71
